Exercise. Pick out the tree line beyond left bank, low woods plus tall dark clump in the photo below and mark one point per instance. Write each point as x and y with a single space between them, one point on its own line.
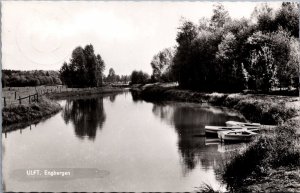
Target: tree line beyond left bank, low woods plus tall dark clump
85 69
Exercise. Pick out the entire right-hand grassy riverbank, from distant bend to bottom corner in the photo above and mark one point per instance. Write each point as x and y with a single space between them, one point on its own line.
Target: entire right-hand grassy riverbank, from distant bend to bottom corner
271 162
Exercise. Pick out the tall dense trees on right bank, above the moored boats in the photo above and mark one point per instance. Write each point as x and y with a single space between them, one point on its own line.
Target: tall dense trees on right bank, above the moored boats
222 54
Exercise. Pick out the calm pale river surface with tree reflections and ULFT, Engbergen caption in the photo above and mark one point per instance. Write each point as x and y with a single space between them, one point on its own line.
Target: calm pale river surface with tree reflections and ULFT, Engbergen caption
134 146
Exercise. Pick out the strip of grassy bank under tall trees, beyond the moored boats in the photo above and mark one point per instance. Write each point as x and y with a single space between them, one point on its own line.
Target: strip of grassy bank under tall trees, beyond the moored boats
266 109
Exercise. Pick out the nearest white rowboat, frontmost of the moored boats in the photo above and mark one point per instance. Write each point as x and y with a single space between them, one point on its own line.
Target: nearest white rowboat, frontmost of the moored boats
240 135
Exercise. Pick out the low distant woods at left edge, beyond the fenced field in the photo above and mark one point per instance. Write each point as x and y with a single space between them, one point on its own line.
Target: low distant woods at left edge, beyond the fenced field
17 78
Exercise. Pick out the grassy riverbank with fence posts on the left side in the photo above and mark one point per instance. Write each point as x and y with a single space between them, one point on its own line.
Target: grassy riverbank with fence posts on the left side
16 115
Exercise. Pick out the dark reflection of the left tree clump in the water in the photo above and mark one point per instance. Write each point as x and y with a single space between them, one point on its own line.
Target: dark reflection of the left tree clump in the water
86 115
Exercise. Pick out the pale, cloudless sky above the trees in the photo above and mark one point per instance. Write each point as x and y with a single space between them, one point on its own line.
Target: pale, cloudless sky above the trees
40 35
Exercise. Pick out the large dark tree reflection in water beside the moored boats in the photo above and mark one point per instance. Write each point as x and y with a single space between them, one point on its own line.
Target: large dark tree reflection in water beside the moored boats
189 123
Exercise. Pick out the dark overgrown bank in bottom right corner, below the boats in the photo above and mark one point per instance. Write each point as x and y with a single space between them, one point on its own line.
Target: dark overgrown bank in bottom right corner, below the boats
272 162
